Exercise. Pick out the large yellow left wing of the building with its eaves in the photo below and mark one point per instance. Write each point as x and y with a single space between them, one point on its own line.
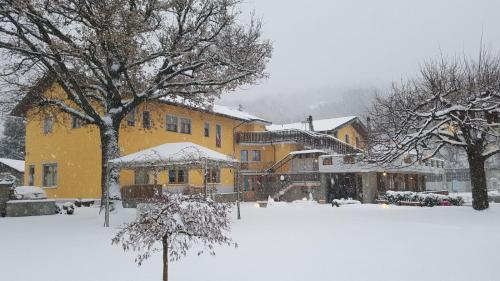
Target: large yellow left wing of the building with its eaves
63 155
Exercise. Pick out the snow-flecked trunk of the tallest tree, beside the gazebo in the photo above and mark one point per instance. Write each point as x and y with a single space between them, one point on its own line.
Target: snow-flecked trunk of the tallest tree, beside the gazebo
109 150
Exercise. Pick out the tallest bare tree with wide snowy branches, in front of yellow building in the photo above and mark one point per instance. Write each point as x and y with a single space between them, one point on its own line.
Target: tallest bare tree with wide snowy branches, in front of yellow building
110 56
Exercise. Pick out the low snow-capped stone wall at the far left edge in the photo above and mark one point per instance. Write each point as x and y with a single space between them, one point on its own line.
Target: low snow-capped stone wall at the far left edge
22 208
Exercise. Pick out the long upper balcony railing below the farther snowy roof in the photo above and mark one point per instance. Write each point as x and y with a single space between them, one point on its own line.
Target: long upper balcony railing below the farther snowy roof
309 139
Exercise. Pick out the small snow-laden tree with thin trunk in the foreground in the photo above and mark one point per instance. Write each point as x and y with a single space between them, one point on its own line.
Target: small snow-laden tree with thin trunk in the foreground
172 224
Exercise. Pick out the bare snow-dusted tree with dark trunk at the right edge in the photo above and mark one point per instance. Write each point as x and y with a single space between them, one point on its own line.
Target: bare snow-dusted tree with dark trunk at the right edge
454 102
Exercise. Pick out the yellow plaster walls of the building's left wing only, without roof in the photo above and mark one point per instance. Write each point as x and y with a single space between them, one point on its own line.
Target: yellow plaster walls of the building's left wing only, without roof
77 151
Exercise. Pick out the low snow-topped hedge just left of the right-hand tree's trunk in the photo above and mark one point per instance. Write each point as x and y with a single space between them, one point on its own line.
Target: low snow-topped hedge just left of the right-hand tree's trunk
425 199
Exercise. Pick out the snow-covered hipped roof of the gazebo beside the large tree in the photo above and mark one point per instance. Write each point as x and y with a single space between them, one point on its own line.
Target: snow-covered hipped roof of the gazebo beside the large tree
178 153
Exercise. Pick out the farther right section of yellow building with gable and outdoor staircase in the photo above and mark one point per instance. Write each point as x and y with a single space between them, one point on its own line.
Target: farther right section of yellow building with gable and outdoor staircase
288 155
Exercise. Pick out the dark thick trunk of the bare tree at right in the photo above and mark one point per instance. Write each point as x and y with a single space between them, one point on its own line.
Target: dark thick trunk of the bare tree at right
478 180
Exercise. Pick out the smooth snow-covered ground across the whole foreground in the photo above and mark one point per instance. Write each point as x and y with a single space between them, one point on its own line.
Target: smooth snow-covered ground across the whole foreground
282 242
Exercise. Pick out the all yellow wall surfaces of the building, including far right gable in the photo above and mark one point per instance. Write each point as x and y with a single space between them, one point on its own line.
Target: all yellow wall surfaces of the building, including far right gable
76 151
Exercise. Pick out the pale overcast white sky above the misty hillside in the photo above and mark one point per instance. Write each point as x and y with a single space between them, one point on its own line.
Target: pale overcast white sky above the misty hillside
357 43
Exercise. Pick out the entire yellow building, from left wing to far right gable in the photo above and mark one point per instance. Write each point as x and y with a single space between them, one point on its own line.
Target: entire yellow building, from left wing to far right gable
63 154
